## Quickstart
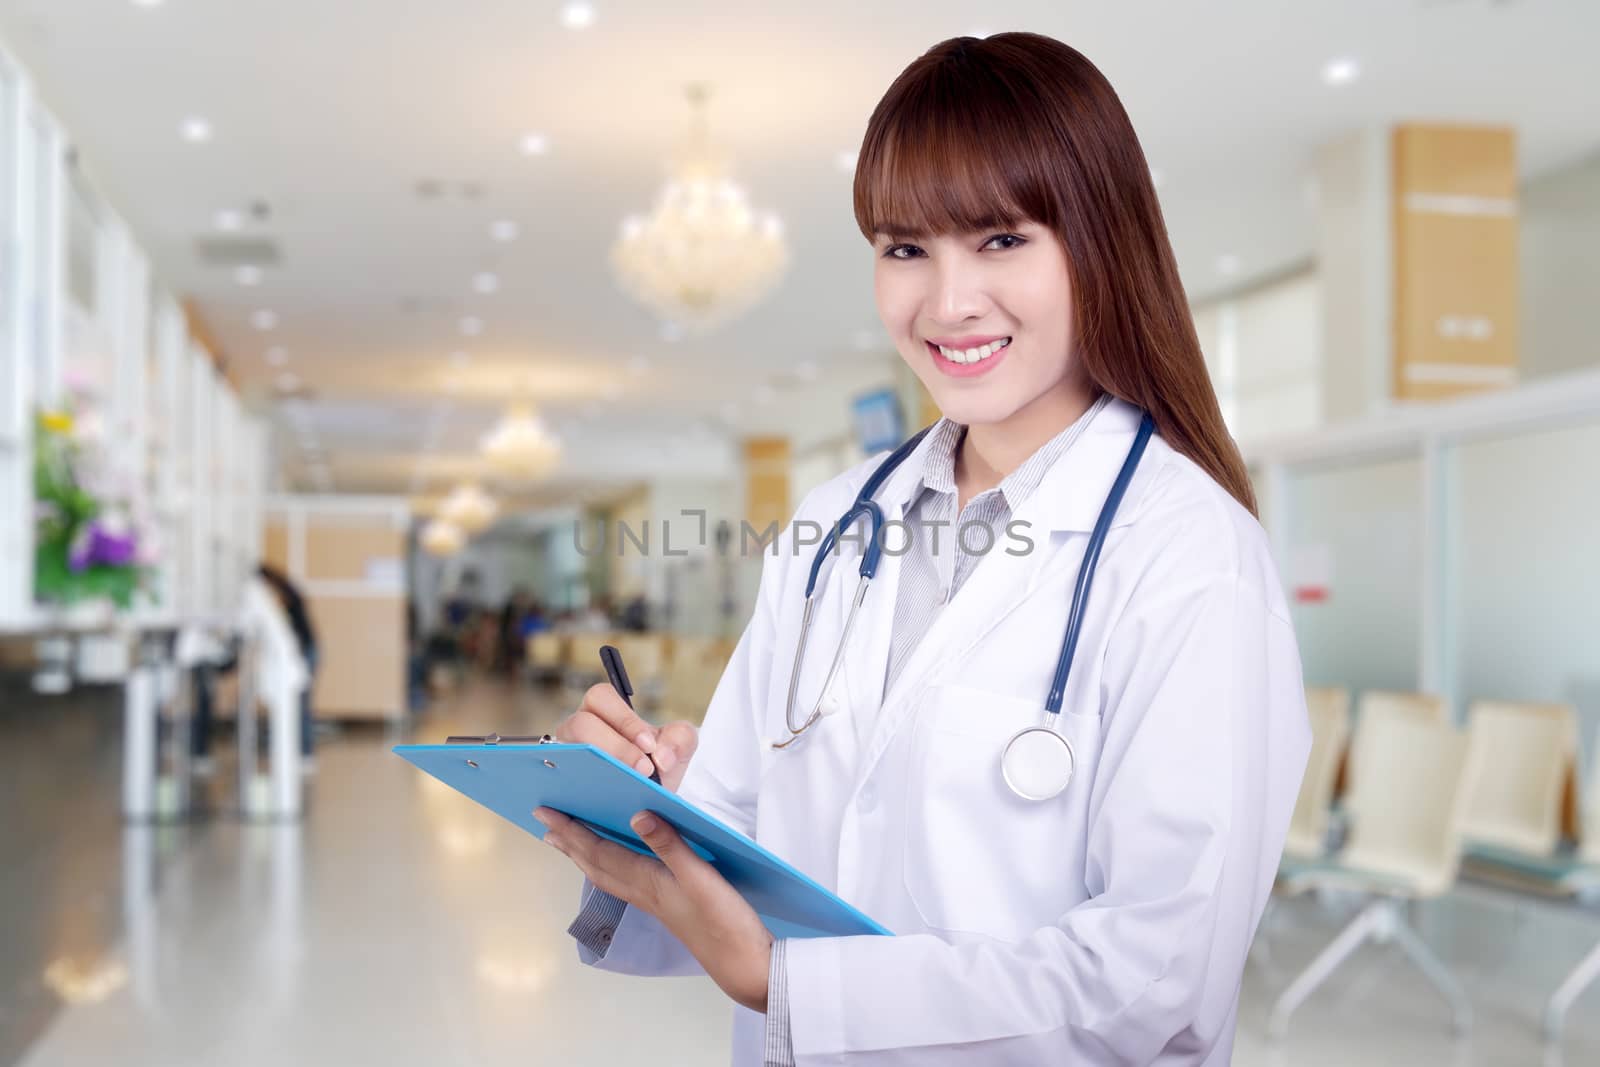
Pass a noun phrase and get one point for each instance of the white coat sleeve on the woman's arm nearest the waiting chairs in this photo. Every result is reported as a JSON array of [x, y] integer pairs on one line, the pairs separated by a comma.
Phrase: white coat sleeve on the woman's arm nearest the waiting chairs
[[1204, 743]]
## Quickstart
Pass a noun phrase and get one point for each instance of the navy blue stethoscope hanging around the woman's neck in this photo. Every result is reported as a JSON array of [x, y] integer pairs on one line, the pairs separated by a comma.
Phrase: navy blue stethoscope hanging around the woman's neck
[[1038, 761]]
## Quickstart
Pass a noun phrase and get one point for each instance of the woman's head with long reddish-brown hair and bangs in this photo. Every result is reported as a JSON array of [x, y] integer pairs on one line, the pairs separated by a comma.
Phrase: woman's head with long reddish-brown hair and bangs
[[1017, 154]]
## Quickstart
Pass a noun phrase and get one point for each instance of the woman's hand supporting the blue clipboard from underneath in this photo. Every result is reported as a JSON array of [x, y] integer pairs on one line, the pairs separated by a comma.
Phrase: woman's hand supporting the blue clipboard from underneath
[[684, 892]]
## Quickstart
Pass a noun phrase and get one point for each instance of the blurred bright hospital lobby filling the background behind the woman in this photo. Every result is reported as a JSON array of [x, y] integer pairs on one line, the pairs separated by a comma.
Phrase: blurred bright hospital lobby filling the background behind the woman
[[366, 367]]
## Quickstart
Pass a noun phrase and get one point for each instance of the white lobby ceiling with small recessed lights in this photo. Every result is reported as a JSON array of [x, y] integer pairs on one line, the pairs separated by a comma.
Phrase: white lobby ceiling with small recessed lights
[[334, 111]]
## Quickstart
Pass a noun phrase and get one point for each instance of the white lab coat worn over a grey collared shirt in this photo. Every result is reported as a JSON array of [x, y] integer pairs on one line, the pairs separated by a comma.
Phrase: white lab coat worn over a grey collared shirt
[[1105, 927]]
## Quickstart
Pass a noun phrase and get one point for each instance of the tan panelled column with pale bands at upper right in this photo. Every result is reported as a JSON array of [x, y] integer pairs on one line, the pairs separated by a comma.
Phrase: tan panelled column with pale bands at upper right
[[1455, 260]]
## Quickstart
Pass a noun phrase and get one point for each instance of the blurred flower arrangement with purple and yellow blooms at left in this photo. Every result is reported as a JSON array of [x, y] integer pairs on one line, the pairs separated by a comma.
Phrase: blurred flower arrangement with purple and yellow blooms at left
[[87, 545]]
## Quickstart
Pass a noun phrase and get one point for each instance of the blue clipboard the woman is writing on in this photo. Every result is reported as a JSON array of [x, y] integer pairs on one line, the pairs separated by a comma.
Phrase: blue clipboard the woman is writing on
[[604, 794]]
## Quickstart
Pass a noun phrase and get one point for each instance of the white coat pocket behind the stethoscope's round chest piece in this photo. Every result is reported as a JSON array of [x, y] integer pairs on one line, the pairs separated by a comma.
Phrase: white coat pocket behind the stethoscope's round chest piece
[[978, 858]]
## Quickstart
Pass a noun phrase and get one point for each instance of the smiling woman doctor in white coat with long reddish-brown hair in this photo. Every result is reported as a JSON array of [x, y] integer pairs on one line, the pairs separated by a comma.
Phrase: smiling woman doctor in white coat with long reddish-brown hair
[[1025, 274]]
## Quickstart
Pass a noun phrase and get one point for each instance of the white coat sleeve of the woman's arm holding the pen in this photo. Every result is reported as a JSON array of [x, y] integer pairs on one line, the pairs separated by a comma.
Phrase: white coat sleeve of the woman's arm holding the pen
[[722, 780]]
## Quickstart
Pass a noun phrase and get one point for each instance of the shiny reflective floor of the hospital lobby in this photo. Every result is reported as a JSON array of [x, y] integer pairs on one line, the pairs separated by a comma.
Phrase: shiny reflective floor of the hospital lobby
[[404, 925]]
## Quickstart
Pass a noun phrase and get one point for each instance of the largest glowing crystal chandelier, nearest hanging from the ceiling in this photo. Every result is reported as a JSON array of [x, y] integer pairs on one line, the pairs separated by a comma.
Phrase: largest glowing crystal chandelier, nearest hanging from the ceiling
[[702, 255]]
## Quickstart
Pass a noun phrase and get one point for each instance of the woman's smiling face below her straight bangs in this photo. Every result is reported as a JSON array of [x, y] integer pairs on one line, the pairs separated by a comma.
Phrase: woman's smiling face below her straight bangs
[[1001, 303]]
